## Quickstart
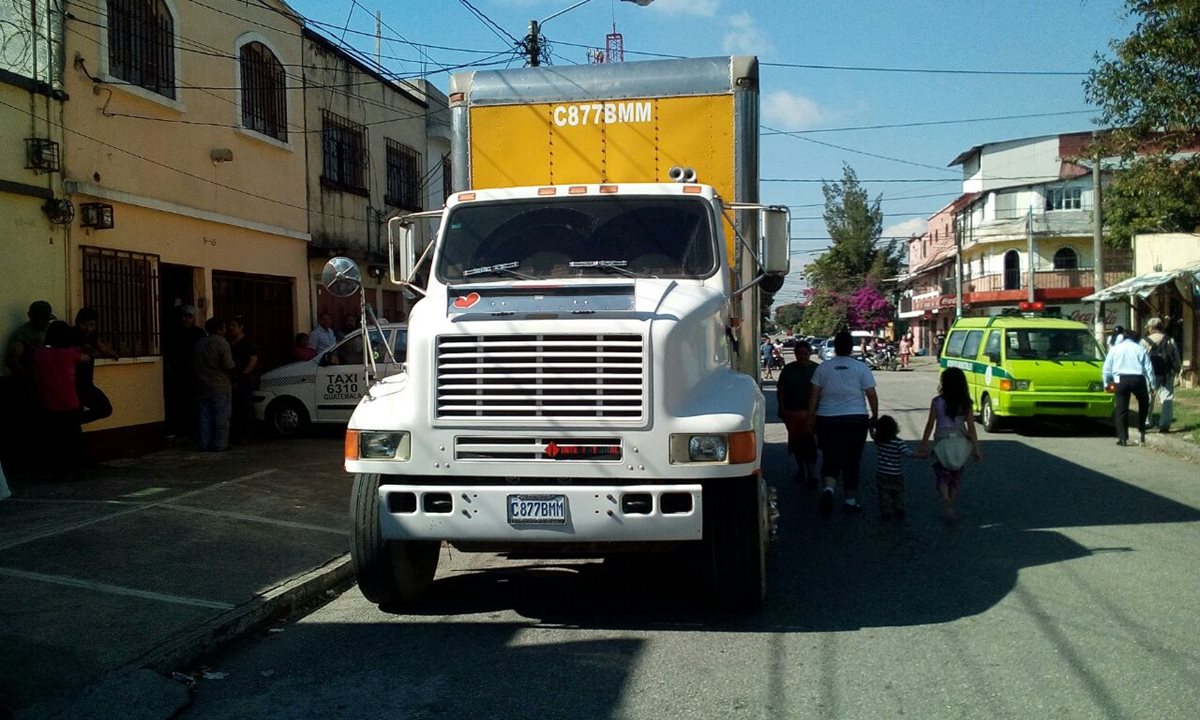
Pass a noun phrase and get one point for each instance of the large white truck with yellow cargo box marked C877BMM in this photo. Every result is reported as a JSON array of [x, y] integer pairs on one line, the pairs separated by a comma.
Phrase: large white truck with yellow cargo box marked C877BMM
[[583, 369]]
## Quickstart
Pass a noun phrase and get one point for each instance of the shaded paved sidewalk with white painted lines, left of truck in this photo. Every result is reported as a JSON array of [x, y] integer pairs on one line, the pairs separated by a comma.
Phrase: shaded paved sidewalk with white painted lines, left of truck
[[153, 563]]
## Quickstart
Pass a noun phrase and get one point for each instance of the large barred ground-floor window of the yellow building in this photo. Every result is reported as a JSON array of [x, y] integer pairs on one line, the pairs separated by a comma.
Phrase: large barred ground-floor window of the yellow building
[[124, 290]]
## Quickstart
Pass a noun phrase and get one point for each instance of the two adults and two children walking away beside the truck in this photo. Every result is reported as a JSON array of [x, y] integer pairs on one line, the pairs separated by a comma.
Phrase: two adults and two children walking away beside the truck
[[831, 410]]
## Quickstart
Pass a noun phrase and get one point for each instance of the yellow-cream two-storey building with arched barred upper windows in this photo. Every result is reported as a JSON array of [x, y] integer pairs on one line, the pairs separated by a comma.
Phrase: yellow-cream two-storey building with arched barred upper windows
[[187, 129]]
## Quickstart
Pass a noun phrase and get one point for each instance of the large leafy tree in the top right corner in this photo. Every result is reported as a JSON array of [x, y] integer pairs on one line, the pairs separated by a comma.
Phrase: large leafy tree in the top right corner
[[1148, 92]]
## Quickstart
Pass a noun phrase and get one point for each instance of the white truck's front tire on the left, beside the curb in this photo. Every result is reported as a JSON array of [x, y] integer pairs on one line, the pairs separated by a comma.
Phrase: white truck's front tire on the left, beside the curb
[[388, 572]]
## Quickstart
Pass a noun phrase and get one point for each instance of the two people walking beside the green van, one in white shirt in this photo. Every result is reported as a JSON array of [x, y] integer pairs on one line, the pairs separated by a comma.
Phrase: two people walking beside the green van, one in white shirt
[[1144, 369]]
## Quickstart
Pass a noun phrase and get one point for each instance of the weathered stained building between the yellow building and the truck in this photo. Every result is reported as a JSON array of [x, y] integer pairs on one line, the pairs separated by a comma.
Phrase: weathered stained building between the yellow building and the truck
[[377, 147]]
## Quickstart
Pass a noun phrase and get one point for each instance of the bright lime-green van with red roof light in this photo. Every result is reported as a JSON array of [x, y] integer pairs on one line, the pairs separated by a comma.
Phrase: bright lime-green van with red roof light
[[1027, 367]]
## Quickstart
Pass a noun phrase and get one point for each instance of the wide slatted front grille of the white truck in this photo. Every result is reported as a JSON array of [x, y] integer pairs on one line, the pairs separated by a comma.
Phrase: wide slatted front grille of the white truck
[[518, 377]]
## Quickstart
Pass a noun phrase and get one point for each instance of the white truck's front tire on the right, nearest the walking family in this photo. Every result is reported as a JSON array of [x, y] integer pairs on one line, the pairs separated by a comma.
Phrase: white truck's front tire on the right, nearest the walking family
[[736, 543]]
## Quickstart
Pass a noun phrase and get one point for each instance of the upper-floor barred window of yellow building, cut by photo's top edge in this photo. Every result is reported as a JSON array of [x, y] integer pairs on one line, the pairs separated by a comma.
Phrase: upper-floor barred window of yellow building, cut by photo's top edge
[[142, 45]]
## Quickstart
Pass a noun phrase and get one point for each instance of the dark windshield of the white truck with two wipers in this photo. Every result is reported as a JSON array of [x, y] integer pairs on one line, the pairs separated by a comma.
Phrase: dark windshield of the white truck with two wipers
[[566, 238]]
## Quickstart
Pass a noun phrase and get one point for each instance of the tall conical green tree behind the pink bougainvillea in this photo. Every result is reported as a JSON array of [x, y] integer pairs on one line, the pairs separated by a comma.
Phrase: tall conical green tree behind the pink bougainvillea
[[855, 259]]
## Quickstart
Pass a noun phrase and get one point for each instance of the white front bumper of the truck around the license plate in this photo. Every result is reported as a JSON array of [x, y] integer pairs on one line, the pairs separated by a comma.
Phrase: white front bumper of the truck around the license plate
[[589, 514]]
